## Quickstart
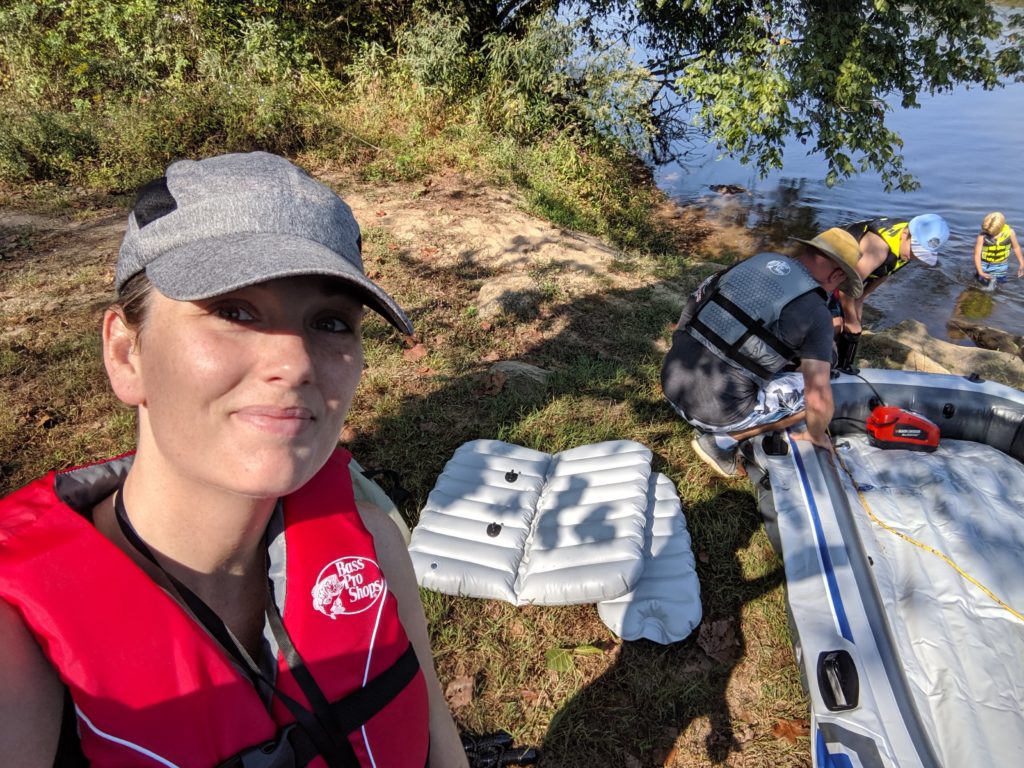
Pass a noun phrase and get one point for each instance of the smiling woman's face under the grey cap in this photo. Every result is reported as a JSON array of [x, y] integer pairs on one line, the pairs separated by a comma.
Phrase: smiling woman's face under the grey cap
[[247, 392]]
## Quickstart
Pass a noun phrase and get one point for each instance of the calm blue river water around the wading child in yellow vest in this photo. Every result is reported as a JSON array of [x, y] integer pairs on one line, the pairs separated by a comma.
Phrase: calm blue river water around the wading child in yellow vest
[[965, 148]]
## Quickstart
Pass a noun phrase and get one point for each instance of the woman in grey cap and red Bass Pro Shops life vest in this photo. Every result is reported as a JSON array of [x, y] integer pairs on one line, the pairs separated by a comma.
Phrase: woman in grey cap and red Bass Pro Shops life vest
[[218, 598]]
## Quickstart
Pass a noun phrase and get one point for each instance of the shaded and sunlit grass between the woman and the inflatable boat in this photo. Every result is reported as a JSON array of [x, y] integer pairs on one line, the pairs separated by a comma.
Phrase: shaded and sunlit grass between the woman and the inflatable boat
[[626, 702]]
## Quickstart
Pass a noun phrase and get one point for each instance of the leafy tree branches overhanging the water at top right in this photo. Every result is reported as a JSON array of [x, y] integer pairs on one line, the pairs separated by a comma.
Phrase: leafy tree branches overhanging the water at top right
[[751, 74]]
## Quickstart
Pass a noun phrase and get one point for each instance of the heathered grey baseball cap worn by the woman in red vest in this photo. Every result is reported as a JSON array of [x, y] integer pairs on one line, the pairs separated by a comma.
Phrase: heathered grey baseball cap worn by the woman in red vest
[[214, 226]]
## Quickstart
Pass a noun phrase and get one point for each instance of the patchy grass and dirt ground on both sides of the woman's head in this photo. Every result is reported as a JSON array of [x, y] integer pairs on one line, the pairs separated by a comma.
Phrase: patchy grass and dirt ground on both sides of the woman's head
[[556, 677]]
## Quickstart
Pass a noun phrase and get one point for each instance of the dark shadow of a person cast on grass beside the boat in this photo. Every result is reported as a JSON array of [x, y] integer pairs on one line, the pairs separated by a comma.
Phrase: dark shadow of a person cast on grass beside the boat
[[642, 705]]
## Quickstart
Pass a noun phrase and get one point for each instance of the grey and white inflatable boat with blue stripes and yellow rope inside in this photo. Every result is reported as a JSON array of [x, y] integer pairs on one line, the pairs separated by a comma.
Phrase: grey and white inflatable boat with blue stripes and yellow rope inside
[[906, 574]]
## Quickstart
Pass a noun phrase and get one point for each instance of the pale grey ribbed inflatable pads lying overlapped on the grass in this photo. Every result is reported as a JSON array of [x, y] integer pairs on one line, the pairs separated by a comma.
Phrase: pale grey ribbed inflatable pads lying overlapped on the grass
[[592, 525]]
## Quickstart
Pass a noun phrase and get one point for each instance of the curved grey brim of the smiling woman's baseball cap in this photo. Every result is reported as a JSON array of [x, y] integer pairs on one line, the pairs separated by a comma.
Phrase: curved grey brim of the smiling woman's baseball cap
[[218, 266]]
